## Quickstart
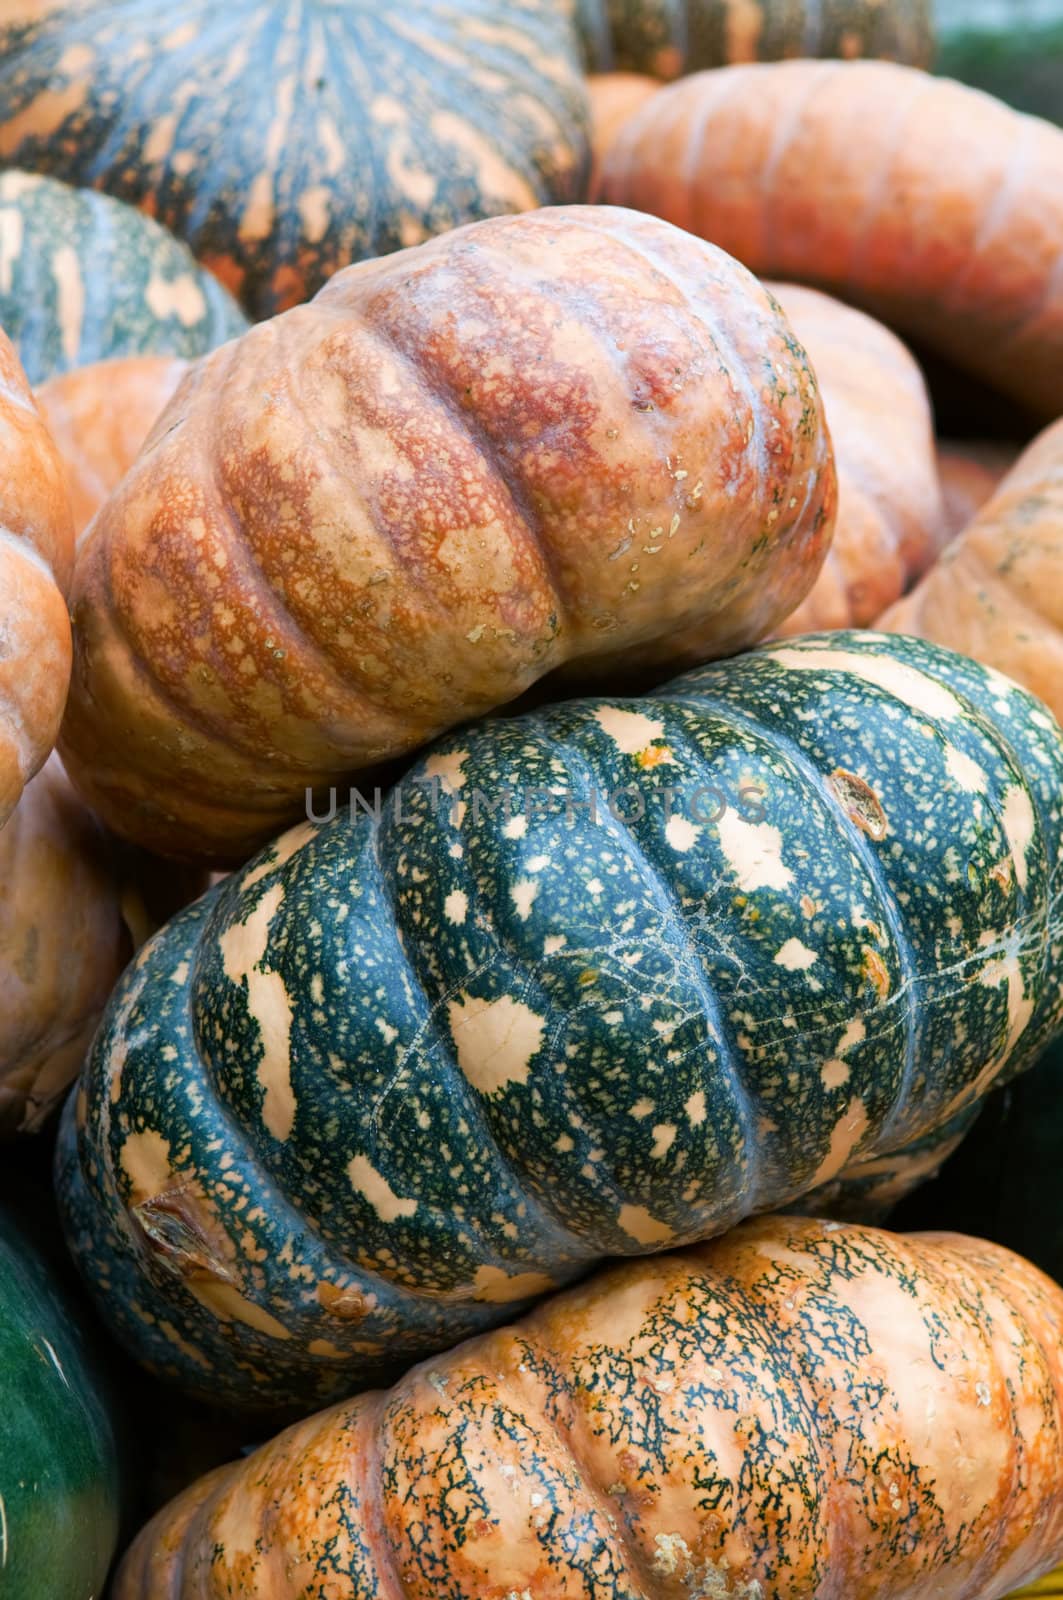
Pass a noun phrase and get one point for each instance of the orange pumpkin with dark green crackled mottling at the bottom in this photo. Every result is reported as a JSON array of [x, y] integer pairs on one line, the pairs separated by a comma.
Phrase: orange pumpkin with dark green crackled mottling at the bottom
[[798, 1410]]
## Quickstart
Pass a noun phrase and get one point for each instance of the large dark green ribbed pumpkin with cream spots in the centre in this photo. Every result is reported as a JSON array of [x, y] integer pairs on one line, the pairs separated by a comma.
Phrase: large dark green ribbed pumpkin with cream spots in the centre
[[593, 982]]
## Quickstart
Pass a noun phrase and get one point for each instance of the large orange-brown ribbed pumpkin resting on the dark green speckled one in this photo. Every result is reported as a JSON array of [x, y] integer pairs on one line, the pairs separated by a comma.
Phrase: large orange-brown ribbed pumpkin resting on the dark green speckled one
[[577, 436]]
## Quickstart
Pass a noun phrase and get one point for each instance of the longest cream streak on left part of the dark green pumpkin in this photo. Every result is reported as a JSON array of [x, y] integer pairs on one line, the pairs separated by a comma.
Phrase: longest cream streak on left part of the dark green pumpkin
[[243, 948]]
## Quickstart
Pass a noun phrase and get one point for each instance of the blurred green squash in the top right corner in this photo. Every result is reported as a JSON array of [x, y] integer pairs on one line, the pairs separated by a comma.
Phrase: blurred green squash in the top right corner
[[1011, 49]]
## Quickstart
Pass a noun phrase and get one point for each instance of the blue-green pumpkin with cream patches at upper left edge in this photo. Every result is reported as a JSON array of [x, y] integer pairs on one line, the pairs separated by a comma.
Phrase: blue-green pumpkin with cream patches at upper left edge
[[86, 279]]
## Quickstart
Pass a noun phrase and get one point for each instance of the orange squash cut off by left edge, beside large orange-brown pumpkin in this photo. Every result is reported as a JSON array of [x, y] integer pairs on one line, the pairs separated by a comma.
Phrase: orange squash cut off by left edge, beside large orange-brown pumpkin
[[36, 561]]
